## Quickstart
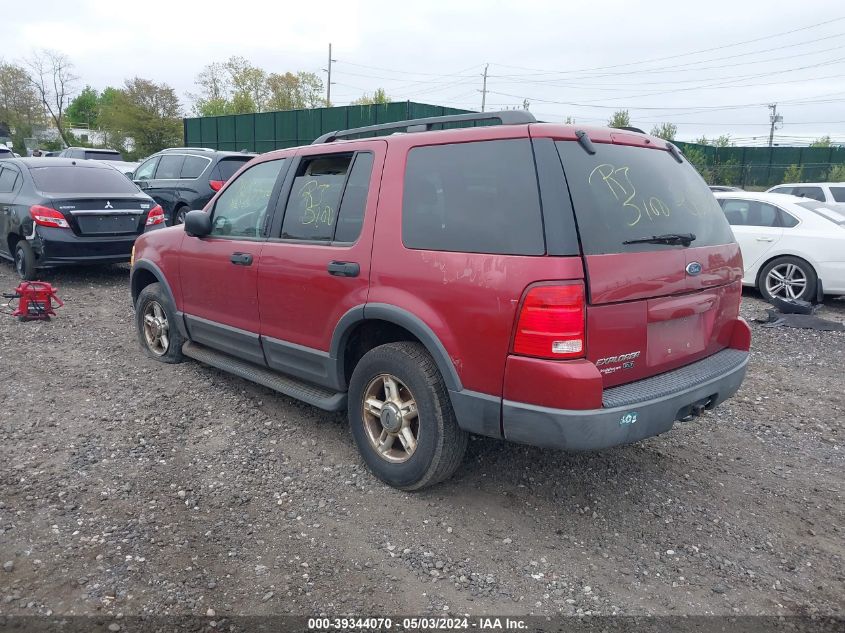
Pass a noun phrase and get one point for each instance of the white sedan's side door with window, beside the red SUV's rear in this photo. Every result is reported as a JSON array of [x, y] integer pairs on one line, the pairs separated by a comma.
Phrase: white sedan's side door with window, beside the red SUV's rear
[[755, 226]]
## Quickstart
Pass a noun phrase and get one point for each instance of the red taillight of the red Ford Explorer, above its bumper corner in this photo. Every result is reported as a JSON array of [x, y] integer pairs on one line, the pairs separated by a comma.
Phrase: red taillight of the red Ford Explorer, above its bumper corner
[[551, 322]]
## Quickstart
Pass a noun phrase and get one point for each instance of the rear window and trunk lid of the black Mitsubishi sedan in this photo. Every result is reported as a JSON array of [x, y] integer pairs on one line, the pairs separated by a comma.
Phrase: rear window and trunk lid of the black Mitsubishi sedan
[[96, 200]]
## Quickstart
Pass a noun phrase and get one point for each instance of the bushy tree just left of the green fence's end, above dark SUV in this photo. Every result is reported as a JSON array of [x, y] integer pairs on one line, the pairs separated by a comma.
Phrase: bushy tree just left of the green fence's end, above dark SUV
[[147, 112]]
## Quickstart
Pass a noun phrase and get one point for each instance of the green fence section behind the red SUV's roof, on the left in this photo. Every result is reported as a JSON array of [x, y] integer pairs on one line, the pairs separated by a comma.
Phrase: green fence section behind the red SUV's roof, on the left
[[266, 131]]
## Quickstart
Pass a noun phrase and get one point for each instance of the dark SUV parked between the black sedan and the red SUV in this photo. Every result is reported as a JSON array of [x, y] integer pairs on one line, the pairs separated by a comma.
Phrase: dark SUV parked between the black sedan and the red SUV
[[185, 178]]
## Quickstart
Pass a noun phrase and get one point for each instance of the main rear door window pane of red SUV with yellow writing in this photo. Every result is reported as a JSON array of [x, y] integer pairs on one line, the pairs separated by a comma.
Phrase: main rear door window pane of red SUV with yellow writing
[[312, 208]]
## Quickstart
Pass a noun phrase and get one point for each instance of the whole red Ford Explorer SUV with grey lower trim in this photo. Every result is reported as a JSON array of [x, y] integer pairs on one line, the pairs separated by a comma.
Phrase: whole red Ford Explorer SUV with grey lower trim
[[546, 284]]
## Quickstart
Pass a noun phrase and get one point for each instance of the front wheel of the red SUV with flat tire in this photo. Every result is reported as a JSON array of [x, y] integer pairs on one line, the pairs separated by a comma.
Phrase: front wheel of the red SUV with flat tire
[[155, 320]]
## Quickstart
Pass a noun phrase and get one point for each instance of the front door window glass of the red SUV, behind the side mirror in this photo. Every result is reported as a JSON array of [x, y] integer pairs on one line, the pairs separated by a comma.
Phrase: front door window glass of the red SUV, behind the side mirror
[[242, 209]]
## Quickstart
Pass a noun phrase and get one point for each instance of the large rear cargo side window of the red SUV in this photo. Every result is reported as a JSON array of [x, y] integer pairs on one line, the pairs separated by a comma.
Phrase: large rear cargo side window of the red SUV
[[473, 197]]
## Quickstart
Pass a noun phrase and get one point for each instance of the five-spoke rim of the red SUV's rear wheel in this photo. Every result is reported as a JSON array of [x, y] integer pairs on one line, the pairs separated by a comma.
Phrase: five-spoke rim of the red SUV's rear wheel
[[391, 419]]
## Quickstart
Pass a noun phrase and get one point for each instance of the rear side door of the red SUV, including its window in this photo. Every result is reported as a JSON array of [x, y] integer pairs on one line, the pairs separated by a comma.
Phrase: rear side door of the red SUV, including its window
[[316, 266]]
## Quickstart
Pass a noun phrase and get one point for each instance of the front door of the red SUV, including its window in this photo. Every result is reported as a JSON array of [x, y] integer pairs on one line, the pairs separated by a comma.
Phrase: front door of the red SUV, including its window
[[218, 272]]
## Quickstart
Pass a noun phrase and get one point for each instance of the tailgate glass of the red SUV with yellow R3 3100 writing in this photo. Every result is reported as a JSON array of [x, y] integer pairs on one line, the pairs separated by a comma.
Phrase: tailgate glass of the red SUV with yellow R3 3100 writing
[[626, 193]]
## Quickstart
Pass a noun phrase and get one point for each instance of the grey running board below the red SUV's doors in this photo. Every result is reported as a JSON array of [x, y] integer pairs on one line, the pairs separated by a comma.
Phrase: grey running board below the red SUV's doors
[[320, 397]]
